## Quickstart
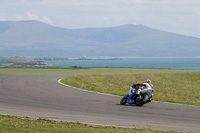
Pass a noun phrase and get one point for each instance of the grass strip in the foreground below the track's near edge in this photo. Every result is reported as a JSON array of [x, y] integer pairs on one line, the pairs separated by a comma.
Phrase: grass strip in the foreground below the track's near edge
[[12, 124]]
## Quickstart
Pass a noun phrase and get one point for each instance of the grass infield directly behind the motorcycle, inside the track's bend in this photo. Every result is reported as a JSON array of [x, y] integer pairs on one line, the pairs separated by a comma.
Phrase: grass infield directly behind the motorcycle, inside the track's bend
[[176, 88]]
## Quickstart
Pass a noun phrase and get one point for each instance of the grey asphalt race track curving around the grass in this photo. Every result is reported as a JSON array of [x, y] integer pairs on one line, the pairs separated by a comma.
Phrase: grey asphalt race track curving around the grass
[[43, 97]]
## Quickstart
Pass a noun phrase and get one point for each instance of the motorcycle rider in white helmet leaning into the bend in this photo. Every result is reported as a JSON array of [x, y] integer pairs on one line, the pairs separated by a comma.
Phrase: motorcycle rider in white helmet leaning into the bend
[[146, 85]]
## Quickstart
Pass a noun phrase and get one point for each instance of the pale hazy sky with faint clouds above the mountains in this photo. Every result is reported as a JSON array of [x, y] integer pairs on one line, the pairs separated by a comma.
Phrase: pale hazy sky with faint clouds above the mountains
[[177, 16]]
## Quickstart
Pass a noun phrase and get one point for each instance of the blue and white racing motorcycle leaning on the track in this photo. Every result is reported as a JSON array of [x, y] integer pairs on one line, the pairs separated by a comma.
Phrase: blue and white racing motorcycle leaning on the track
[[139, 97]]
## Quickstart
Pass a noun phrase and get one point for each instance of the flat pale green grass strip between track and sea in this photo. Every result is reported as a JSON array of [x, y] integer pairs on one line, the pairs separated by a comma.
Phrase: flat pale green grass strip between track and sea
[[86, 71]]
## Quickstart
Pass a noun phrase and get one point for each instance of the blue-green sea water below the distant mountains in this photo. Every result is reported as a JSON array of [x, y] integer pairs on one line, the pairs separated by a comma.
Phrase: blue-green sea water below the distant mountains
[[165, 63]]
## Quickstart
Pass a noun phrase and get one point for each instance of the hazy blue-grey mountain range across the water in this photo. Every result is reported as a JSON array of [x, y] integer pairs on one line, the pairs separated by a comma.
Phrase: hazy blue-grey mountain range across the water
[[37, 39]]
